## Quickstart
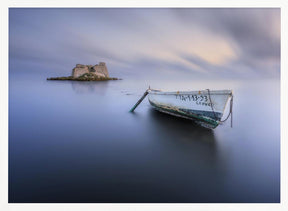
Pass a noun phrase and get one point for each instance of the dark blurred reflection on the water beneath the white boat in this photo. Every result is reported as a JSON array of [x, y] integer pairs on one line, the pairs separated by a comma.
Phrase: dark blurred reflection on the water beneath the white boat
[[183, 137]]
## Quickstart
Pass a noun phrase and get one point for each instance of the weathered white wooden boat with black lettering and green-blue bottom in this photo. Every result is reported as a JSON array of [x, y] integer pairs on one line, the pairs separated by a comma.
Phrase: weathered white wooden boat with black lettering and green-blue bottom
[[204, 107]]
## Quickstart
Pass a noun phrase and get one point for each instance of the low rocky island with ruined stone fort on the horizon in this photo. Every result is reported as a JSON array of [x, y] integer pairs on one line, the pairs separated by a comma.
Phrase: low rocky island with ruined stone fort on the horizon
[[98, 72]]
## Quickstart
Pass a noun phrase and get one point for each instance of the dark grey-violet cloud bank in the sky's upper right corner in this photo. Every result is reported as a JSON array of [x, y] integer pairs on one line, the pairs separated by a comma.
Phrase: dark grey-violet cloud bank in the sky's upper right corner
[[253, 32]]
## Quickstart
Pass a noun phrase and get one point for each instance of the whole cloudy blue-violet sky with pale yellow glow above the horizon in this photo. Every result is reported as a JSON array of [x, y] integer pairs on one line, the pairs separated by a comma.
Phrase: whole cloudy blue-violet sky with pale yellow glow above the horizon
[[147, 43]]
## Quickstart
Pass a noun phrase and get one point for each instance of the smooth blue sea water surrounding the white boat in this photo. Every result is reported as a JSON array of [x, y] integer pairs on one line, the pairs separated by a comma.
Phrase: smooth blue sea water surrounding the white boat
[[77, 142]]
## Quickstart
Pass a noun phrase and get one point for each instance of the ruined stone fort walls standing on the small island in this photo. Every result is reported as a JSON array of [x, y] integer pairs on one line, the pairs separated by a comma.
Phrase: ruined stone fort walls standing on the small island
[[99, 70]]
